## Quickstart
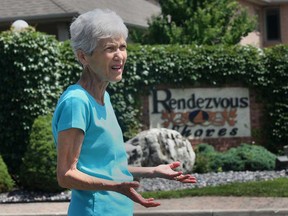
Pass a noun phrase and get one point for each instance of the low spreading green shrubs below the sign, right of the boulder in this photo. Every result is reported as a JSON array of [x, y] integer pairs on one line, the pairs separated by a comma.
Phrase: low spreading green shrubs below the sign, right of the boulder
[[242, 158]]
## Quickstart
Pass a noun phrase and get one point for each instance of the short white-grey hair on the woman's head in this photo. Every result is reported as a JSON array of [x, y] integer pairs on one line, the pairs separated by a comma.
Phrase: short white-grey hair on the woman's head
[[87, 29]]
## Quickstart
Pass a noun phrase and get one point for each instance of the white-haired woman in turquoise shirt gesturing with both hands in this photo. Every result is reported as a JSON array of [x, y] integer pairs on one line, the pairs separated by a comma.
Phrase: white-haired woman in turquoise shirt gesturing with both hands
[[92, 161]]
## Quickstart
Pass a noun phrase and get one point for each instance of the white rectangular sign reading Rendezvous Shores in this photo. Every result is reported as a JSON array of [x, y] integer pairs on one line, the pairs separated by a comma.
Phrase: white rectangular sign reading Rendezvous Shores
[[202, 112]]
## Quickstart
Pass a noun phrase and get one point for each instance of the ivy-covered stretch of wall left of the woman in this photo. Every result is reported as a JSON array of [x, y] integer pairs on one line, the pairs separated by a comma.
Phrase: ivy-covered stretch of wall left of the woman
[[29, 87]]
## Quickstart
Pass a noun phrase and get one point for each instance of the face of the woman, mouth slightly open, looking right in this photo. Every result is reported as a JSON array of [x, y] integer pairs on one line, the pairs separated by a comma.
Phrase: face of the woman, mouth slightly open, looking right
[[108, 59]]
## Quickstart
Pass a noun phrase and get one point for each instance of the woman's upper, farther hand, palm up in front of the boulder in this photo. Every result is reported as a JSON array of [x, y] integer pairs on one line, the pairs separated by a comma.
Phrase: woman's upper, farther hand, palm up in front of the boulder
[[167, 171]]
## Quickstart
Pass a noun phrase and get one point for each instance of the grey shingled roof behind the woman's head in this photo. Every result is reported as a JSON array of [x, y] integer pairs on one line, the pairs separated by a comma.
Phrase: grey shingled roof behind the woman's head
[[54, 16]]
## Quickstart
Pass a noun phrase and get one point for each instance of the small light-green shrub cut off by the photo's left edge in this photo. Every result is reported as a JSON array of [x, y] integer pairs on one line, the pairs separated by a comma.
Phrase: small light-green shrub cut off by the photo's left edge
[[6, 182]]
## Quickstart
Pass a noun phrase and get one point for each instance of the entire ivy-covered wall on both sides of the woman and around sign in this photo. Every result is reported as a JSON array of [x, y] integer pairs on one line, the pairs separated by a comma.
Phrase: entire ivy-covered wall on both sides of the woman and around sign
[[36, 68]]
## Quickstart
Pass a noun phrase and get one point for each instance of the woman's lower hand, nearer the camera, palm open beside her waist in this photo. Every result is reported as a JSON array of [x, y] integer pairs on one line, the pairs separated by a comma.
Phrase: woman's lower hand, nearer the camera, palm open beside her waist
[[128, 189]]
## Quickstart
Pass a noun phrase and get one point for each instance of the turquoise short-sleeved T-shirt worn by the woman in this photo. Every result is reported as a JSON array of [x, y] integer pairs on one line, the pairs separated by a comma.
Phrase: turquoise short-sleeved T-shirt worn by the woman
[[102, 154]]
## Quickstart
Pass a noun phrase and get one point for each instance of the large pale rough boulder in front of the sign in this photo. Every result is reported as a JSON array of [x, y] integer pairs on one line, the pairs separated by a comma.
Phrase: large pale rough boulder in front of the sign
[[160, 146]]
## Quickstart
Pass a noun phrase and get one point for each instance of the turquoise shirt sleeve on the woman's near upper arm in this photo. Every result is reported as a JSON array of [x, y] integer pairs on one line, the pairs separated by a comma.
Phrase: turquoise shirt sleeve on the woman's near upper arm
[[72, 113]]
